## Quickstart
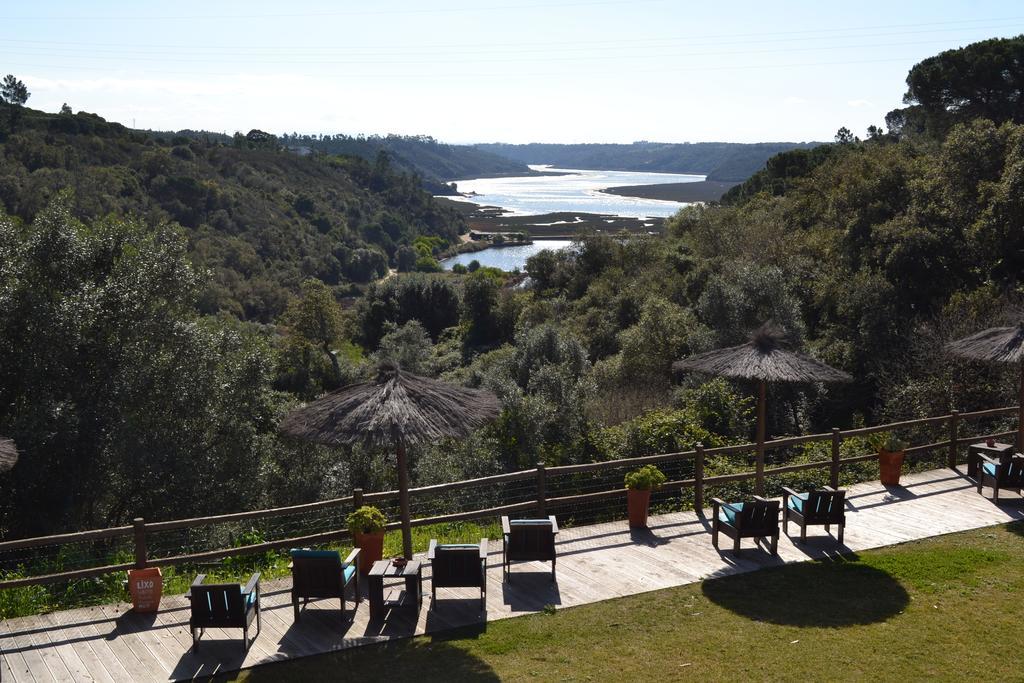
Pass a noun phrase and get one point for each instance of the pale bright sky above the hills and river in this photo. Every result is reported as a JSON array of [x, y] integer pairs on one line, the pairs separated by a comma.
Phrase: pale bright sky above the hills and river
[[562, 71]]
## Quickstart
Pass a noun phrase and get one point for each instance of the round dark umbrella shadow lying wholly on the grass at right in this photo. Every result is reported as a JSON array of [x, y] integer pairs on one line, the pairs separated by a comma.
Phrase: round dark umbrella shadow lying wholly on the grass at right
[[824, 594]]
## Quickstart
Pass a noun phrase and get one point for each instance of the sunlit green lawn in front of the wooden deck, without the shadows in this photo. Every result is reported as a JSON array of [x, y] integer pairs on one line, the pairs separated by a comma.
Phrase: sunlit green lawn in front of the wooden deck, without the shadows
[[945, 609]]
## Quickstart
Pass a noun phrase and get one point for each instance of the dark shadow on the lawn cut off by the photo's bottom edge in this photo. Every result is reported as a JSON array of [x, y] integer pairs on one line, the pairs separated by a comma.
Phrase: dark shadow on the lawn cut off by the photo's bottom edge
[[433, 658]]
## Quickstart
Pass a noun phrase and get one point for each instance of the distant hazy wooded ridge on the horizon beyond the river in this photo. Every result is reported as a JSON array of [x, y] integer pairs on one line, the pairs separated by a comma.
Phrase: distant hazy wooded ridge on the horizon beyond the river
[[719, 161]]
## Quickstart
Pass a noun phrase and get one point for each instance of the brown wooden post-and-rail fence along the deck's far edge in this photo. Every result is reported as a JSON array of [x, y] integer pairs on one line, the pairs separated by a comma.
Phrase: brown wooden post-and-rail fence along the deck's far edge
[[540, 500]]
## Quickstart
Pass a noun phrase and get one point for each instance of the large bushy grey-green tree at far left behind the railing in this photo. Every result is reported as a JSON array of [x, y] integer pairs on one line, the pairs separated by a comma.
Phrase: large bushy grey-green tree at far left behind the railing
[[129, 403]]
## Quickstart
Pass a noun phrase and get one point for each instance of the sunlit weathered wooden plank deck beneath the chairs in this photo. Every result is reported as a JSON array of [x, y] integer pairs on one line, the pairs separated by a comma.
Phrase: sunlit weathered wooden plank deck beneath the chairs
[[111, 644]]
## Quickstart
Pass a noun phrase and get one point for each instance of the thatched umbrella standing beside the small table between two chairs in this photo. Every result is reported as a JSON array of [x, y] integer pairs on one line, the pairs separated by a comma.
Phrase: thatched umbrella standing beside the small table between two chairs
[[396, 409]]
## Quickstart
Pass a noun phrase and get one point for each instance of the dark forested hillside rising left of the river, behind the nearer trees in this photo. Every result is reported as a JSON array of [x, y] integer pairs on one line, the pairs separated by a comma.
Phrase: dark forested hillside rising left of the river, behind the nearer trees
[[262, 219]]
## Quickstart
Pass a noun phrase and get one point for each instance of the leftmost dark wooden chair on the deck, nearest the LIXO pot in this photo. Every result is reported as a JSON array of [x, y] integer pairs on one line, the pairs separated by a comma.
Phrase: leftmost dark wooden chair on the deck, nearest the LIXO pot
[[224, 607]]
